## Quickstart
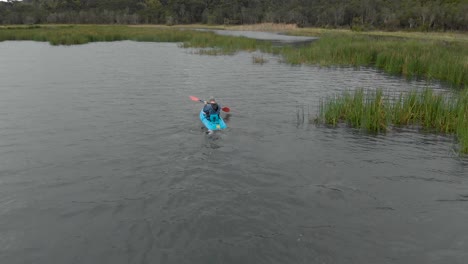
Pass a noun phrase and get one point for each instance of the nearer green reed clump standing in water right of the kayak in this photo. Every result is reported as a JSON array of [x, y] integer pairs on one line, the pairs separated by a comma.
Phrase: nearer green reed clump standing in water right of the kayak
[[374, 111]]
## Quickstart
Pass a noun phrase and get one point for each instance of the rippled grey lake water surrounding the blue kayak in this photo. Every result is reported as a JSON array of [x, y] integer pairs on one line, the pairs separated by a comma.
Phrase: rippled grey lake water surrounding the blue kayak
[[103, 160]]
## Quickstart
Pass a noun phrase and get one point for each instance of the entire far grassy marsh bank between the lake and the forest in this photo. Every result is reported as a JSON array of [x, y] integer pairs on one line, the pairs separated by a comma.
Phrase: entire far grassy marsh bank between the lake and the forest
[[409, 55]]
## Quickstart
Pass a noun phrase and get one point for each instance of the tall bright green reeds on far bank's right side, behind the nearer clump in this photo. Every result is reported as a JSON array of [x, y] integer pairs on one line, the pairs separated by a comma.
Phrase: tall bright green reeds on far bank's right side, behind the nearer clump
[[436, 60]]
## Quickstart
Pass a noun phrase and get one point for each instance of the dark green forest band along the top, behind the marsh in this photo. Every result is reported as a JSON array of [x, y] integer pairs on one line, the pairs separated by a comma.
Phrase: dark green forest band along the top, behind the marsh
[[363, 14]]
